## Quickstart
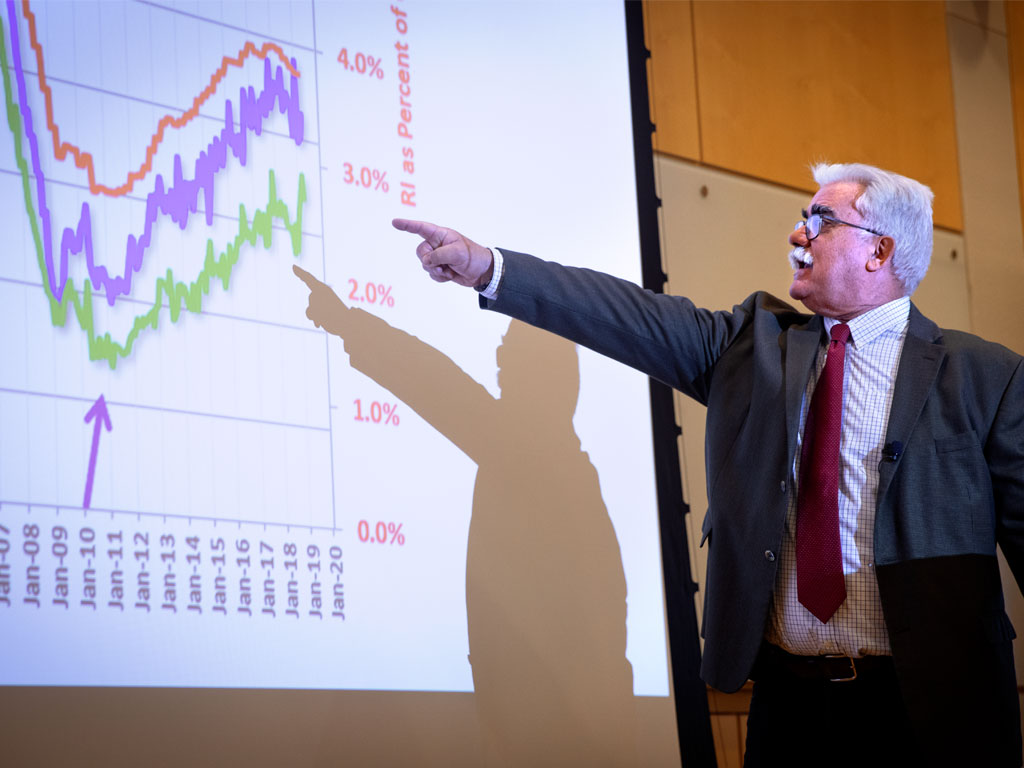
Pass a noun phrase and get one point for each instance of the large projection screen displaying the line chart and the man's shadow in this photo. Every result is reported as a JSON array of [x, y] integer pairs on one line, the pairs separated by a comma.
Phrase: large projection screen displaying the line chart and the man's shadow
[[431, 537]]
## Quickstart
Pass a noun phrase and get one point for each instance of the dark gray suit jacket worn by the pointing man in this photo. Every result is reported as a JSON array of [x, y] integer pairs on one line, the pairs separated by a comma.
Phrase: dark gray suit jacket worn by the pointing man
[[957, 489]]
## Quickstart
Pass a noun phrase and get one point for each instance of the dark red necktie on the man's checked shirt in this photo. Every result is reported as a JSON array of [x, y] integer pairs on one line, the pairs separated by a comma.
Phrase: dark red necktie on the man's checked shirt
[[821, 585]]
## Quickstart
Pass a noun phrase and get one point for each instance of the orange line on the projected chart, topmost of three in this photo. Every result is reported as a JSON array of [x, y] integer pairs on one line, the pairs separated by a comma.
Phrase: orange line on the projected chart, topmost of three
[[83, 160]]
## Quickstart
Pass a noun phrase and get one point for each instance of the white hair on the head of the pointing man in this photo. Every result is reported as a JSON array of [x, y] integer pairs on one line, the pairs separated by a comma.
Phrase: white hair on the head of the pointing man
[[894, 205]]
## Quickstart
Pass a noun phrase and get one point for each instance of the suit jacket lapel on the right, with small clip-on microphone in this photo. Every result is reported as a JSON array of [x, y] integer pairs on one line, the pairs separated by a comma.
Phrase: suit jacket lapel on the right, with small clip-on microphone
[[919, 365]]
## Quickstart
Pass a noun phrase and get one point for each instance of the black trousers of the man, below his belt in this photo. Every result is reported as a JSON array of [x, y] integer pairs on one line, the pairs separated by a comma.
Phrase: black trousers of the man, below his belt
[[801, 718]]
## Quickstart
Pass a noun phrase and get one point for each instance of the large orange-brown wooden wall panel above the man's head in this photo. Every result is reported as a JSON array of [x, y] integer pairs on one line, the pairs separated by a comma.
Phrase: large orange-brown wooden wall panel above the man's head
[[784, 84]]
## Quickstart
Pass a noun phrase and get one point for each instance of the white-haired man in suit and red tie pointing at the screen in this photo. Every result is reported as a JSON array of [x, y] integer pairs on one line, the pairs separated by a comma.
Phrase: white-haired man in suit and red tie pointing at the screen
[[862, 466]]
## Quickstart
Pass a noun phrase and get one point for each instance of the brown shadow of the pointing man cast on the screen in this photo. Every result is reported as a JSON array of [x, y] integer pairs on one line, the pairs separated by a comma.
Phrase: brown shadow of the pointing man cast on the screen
[[545, 588]]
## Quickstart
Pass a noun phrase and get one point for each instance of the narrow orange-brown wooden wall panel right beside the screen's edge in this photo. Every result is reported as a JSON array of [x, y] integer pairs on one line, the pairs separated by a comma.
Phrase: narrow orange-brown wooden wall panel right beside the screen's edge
[[672, 78]]
